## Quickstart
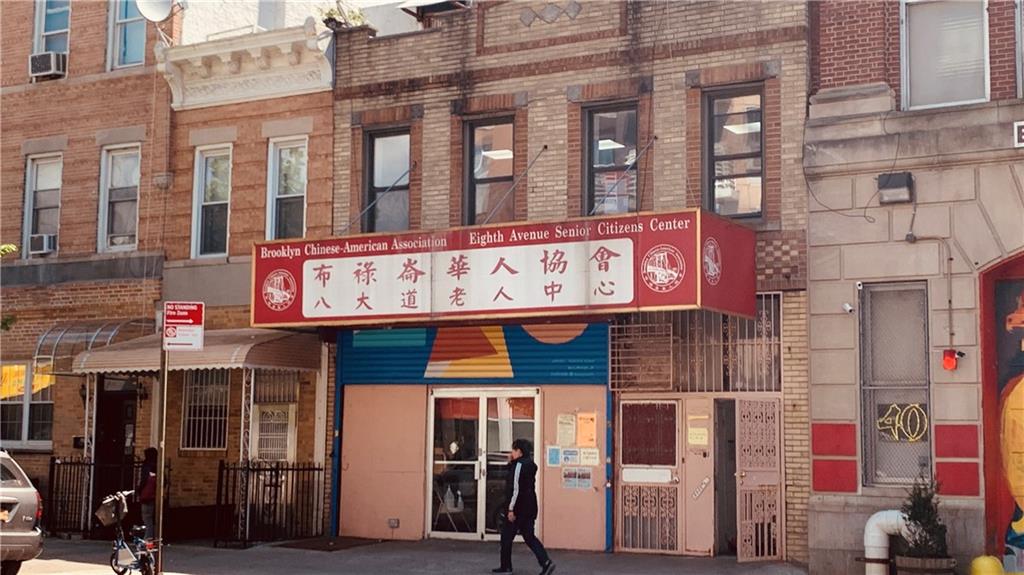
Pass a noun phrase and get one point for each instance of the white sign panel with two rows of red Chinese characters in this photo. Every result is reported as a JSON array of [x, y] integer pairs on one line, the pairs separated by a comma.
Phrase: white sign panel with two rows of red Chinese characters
[[465, 281]]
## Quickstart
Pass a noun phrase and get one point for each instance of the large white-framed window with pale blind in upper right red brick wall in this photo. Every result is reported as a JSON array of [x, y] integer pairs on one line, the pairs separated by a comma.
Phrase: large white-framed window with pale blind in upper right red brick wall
[[946, 53]]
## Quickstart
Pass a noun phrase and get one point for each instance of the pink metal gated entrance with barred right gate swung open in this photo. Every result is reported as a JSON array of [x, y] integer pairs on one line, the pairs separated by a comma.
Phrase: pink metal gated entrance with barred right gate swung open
[[700, 475]]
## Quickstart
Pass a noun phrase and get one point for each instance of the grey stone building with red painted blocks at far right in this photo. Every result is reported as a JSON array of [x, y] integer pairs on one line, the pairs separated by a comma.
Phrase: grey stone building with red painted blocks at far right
[[918, 277]]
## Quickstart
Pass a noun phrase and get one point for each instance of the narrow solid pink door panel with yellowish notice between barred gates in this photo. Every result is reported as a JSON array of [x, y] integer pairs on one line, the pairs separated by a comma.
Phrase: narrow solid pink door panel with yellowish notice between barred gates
[[699, 489]]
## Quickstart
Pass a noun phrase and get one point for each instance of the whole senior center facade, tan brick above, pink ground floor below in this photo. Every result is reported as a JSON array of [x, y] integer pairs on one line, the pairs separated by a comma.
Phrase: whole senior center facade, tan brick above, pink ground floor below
[[545, 71]]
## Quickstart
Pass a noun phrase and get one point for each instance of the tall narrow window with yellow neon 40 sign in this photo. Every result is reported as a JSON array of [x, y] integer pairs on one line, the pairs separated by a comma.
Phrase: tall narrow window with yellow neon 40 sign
[[894, 383]]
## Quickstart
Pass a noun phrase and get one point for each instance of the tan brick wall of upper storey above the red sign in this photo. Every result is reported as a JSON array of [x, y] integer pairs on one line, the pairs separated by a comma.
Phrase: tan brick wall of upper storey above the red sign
[[557, 66]]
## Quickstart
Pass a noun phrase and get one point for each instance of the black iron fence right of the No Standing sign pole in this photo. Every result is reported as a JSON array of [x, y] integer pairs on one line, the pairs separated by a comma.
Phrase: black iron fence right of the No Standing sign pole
[[269, 502]]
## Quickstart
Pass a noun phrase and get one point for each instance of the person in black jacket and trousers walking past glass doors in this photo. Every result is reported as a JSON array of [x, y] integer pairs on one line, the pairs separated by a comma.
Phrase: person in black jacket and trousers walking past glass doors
[[521, 493]]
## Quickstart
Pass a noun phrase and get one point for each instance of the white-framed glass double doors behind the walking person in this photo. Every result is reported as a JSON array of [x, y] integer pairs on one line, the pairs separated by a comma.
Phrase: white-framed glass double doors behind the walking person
[[471, 434]]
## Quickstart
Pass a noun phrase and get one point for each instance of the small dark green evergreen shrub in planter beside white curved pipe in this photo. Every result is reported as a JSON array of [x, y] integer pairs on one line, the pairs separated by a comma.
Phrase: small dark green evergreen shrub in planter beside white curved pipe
[[924, 551]]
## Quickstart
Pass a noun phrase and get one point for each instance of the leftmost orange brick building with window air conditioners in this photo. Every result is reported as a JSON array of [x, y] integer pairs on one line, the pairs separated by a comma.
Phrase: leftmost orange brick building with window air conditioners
[[62, 138]]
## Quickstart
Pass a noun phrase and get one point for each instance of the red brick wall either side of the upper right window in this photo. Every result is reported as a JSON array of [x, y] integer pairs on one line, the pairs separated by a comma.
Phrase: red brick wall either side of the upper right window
[[859, 42]]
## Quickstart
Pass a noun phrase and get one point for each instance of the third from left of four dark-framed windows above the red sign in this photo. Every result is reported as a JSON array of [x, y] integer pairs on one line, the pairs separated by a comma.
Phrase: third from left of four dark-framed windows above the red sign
[[612, 150]]
